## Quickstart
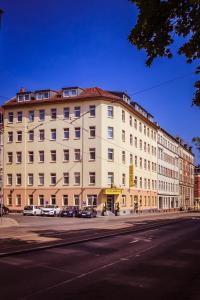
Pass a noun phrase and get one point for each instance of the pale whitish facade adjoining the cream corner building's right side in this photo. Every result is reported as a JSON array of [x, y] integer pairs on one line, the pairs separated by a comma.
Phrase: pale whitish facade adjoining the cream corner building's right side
[[168, 171]]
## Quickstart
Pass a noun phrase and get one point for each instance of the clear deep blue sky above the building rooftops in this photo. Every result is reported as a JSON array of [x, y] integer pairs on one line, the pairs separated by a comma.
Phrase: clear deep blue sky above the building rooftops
[[51, 44]]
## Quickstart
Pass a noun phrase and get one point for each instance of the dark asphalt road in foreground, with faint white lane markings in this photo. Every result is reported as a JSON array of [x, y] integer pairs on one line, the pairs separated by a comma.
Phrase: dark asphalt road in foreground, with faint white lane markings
[[162, 263]]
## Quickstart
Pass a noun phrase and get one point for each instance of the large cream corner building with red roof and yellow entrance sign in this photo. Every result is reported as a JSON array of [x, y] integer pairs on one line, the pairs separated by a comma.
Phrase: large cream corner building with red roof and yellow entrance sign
[[79, 147]]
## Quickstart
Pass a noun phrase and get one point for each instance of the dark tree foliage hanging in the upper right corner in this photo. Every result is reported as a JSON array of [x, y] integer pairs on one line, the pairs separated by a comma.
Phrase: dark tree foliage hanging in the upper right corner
[[159, 21]]
